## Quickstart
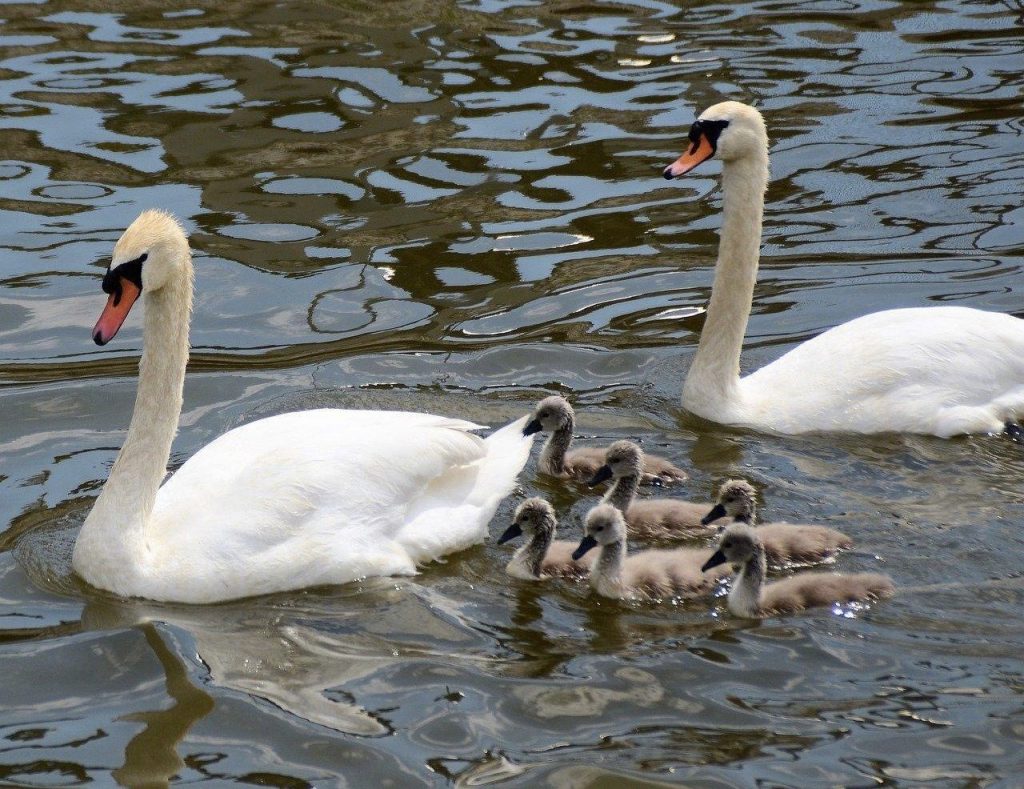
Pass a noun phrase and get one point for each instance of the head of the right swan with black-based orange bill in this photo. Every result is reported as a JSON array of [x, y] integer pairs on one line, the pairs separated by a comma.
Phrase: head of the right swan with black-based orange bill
[[729, 130]]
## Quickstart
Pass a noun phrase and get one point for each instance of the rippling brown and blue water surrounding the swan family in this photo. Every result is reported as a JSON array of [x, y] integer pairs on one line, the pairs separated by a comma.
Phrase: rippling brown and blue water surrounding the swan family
[[457, 207]]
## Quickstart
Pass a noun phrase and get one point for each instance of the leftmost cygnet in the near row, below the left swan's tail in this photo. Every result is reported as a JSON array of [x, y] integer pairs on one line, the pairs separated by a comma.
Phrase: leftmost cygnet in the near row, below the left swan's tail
[[543, 556]]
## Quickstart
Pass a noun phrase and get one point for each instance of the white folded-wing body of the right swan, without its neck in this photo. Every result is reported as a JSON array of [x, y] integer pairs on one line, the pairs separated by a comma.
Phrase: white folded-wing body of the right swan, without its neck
[[942, 371]]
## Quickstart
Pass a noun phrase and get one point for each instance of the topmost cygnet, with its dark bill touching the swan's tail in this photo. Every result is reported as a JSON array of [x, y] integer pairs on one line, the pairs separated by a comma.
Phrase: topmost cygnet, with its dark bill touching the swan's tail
[[556, 416]]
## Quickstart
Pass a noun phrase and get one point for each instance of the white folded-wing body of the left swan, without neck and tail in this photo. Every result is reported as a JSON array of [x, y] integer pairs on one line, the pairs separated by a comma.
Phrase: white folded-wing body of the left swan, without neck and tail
[[310, 498]]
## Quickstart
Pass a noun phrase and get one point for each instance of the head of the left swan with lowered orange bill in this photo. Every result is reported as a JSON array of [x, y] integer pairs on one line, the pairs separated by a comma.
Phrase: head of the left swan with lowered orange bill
[[152, 252]]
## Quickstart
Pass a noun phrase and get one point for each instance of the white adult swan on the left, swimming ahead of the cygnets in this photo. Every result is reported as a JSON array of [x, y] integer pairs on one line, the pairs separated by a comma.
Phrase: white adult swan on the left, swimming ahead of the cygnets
[[298, 500]]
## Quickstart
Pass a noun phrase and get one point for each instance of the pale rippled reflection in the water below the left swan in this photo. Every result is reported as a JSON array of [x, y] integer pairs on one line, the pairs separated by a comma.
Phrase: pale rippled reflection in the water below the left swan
[[298, 652]]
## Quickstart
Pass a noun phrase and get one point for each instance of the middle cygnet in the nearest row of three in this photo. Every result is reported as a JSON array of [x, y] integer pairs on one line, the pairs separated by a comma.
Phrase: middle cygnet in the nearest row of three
[[645, 576]]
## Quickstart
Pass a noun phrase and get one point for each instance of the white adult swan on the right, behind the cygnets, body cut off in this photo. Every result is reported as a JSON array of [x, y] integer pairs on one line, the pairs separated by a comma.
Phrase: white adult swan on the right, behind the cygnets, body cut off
[[940, 371]]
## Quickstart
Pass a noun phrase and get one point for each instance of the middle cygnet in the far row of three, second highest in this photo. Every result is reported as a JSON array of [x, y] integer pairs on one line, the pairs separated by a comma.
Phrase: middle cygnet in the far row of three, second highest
[[647, 518]]
